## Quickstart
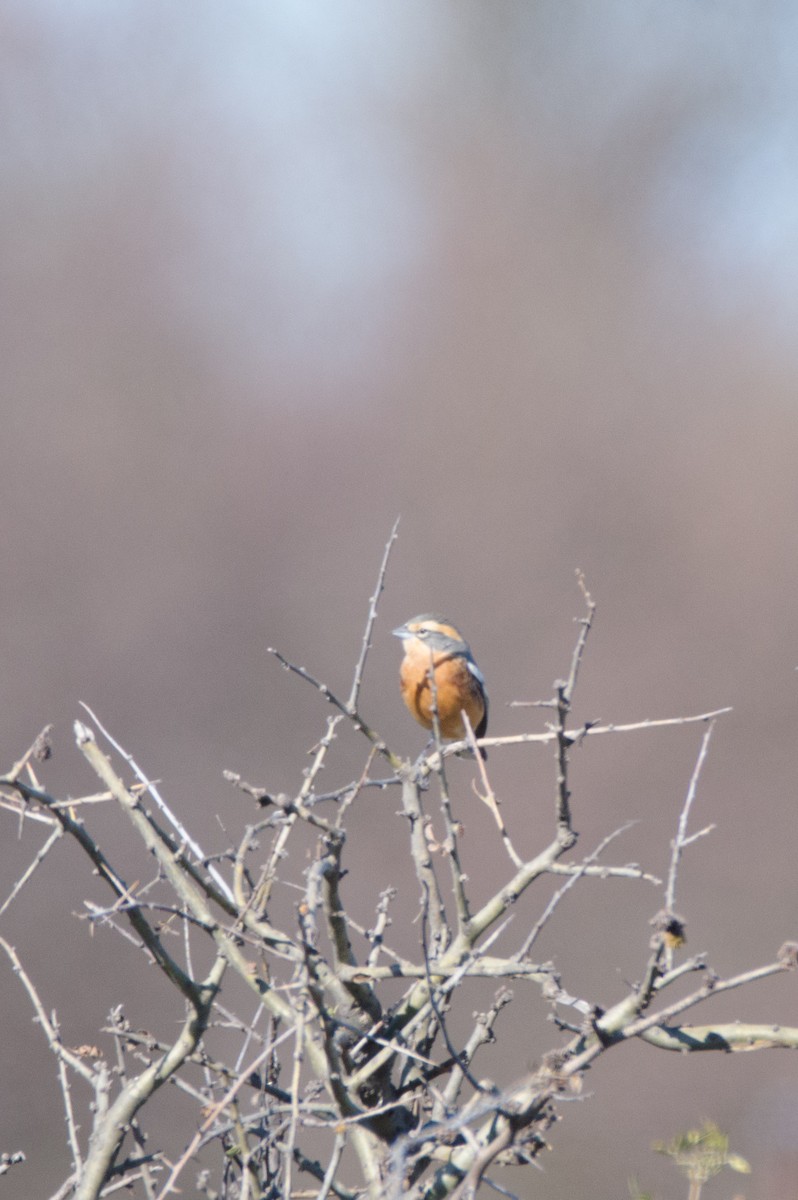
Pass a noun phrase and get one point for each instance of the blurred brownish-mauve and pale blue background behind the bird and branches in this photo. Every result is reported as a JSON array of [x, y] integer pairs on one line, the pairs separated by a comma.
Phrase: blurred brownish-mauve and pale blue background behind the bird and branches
[[525, 275]]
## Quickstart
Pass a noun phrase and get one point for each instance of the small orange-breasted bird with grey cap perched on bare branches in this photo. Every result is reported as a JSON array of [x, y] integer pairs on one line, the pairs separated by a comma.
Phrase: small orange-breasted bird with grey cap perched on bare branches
[[433, 643]]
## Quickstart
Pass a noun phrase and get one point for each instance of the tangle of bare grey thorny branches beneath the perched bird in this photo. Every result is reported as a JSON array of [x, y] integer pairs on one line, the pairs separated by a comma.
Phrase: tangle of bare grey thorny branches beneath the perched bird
[[350, 1075]]
